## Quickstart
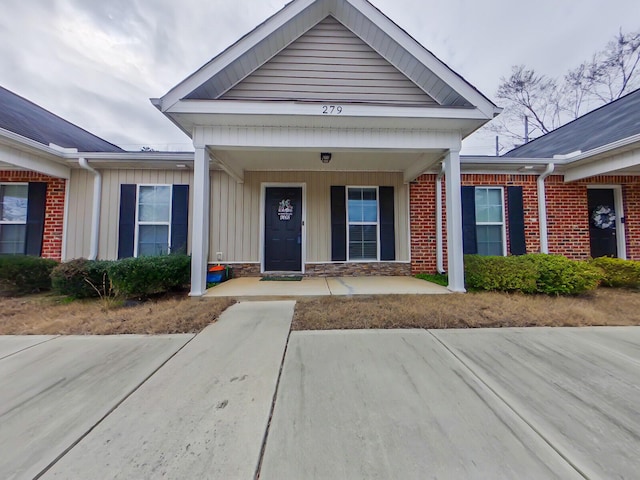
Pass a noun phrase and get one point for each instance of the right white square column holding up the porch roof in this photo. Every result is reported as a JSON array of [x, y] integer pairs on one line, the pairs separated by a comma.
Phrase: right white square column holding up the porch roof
[[454, 222]]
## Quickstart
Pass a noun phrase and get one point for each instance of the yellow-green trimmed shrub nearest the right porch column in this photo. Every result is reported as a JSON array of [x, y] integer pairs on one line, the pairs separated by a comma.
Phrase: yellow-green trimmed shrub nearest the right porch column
[[501, 274]]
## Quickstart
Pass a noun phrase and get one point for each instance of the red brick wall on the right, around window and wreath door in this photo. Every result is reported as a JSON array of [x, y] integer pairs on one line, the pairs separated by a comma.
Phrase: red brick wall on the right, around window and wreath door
[[567, 214]]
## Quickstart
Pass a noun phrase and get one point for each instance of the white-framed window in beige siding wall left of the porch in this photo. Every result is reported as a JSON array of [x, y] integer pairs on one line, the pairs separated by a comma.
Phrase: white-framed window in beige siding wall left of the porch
[[153, 220]]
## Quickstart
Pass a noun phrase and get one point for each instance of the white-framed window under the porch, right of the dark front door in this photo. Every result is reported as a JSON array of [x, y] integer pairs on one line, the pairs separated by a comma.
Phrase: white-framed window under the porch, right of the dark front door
[[363, 228]]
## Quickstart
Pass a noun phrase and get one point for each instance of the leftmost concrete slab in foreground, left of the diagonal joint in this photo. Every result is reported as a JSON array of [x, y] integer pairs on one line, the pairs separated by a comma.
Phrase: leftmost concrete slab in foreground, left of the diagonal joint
[[55, 390]]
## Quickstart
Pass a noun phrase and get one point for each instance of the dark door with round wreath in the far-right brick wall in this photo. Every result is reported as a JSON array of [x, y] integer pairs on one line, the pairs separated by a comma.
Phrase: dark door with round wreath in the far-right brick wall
[[602, 224]]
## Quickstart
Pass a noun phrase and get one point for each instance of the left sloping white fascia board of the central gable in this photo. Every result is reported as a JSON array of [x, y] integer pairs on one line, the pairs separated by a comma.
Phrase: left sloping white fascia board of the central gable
[[232, 53]]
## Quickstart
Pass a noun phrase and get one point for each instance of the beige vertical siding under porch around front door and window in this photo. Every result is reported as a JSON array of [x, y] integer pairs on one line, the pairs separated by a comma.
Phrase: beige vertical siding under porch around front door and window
[[235, 211]]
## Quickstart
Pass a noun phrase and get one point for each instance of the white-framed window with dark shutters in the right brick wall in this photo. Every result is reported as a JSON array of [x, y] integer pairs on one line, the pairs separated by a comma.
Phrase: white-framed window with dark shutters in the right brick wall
[[490, 225]]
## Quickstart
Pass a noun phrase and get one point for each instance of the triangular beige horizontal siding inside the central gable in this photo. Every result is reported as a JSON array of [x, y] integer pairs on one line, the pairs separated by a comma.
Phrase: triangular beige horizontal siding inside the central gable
[[329, 63]]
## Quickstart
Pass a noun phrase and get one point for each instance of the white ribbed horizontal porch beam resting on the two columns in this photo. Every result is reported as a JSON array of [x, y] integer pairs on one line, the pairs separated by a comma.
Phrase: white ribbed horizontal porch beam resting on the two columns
[[323, 138]]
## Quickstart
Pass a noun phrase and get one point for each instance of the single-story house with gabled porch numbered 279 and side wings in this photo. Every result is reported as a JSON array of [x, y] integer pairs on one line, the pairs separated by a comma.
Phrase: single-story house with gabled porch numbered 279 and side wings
[[325, 141]]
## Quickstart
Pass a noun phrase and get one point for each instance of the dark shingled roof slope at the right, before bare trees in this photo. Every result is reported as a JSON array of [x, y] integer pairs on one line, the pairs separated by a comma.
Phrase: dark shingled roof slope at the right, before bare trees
[[608, 124]]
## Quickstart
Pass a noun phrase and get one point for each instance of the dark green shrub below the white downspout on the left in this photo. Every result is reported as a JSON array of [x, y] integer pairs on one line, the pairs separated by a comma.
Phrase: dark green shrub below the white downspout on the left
[[81, 278]]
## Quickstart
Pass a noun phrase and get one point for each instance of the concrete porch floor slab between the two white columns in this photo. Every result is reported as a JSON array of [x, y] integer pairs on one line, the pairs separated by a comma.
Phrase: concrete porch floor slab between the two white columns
[[321, 286]]
